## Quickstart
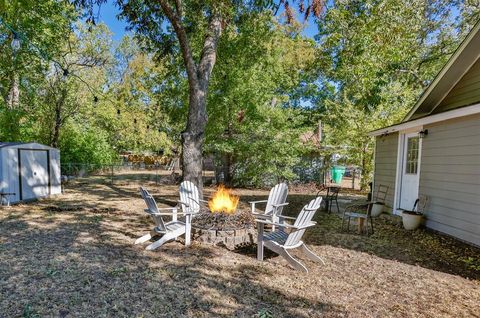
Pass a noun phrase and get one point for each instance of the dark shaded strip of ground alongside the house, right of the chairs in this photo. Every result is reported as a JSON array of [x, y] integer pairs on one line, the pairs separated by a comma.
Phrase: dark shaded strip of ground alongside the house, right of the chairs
[[422, 247]]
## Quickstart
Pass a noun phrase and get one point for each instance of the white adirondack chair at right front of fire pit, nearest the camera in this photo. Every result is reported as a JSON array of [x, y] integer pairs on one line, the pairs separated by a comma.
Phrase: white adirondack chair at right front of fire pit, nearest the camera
[[280, 241]]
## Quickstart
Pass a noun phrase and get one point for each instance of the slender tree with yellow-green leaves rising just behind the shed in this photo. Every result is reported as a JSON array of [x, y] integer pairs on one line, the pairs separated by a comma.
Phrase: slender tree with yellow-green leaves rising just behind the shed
[[80, 62]]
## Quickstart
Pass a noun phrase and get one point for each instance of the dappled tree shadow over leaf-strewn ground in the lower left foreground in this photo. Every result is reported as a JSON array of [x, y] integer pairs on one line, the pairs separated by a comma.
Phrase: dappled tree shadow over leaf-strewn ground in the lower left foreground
[[78, 267]]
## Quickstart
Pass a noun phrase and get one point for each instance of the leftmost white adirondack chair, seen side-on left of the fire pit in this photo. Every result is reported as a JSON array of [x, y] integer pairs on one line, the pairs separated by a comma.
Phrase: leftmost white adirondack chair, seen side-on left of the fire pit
[[168, 230]]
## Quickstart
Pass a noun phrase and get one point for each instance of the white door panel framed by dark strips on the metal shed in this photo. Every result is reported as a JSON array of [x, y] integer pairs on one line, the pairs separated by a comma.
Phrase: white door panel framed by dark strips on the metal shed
[[34, 173]]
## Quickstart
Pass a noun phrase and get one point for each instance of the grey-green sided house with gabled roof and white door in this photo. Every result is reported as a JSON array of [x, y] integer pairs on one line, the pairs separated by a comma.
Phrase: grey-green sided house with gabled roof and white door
[[435, 150]]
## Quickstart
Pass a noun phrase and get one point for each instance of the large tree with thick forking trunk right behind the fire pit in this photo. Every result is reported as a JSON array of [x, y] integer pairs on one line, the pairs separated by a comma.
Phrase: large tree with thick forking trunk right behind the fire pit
[[197, 27]]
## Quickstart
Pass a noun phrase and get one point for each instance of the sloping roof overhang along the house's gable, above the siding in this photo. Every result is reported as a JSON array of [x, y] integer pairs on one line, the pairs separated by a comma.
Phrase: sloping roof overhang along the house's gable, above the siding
[[459, 63]]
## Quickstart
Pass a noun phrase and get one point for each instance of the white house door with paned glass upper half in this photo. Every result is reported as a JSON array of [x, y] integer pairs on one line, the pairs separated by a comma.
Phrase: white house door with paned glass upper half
[[410, 171]]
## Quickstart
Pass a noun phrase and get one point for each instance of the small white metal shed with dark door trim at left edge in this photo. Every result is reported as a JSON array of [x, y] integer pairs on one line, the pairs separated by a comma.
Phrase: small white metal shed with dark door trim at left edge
[[28, 171]]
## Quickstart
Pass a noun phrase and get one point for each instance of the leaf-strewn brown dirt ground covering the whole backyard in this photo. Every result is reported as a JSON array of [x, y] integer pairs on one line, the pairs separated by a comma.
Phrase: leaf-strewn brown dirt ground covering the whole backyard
[[73, 256]]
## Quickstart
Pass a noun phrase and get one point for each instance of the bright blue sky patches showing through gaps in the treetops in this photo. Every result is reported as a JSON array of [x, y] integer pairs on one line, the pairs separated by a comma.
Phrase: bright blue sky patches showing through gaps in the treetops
[[109, 12]]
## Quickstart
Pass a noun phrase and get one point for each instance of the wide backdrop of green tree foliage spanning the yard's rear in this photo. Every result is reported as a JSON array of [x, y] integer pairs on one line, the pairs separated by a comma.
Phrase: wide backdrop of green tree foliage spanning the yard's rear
[[369, 64]]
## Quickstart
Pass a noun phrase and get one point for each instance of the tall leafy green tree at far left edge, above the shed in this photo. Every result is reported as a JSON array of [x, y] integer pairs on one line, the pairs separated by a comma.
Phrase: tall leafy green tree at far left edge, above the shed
[[38, 29]]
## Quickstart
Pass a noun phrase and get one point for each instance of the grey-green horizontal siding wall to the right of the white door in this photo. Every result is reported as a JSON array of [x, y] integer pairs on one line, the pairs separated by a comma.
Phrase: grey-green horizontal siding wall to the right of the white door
[[450, 177]]
